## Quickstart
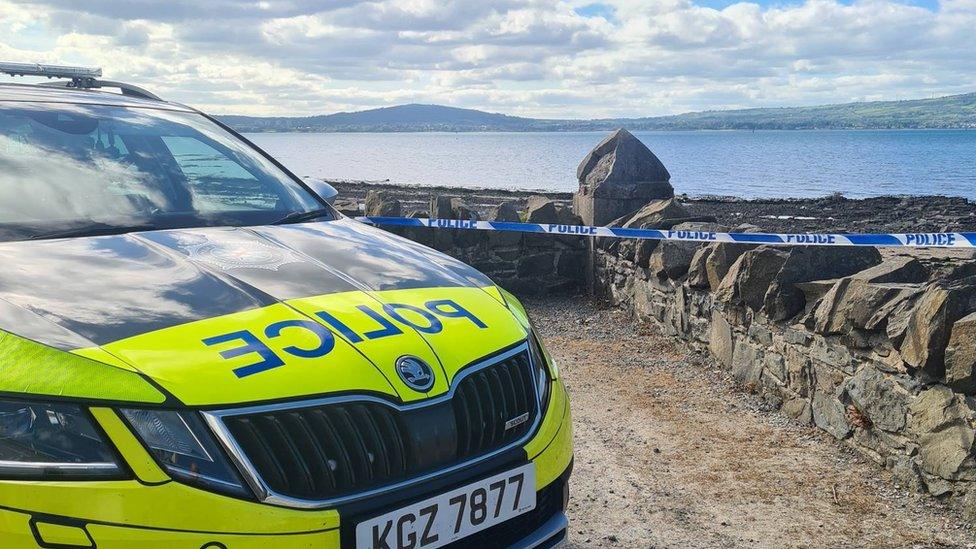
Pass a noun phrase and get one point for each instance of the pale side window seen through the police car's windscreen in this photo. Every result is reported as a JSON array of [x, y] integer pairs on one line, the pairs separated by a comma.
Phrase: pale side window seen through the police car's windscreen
[[216, 182]]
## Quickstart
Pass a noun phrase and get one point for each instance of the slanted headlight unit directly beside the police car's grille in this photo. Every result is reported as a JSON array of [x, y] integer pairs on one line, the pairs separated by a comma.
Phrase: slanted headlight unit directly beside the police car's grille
[[183, 445]]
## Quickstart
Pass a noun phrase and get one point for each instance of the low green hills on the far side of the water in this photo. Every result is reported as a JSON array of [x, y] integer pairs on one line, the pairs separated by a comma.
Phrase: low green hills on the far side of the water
[[954, 111]]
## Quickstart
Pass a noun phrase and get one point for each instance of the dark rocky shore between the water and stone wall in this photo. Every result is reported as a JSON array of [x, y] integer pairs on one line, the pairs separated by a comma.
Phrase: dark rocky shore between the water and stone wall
[[896, 214]]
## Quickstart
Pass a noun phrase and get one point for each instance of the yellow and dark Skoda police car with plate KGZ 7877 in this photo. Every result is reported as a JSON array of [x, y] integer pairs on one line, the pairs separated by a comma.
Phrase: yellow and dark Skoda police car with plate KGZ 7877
[[198, 351]]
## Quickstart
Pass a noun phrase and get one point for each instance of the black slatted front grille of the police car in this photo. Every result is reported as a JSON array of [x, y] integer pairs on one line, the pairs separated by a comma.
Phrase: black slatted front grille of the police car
[[338, 449]]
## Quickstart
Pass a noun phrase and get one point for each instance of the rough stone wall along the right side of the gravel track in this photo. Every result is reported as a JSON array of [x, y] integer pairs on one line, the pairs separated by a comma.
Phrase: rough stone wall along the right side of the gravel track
[[875, 350]]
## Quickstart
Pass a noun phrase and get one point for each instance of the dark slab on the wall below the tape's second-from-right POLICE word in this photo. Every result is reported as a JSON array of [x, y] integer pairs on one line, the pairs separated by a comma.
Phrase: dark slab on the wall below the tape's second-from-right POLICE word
[[805, 263]]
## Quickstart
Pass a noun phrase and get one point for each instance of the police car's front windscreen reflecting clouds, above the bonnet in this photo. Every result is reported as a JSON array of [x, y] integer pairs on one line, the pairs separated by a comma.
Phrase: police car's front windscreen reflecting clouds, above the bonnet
[[65, 168]]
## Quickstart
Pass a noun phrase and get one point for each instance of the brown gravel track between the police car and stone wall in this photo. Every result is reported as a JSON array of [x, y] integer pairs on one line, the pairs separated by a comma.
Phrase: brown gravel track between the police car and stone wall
[[669, 455]]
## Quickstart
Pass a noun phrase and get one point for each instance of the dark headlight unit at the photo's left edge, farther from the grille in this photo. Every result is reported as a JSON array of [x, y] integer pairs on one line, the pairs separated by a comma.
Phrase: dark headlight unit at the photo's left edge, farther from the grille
[[47, 441]]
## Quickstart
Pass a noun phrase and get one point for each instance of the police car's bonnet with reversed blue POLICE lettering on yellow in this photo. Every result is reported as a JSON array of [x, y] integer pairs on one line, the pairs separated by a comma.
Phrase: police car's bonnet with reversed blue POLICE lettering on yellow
[[220, 316]]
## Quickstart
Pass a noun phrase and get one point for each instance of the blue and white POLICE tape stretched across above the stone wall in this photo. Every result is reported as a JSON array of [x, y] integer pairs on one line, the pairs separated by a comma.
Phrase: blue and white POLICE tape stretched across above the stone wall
[[910, 240]]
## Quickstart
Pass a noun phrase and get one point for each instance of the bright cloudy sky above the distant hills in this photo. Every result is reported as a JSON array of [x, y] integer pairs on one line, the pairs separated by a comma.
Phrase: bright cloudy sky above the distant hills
[[539, 58]]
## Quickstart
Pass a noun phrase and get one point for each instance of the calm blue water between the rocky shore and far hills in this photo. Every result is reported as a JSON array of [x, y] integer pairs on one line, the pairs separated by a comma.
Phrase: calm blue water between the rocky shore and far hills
[[739, 163]]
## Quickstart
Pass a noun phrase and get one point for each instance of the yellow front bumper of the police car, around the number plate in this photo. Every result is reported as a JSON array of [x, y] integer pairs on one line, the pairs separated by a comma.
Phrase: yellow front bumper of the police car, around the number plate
[[153, 511]]
